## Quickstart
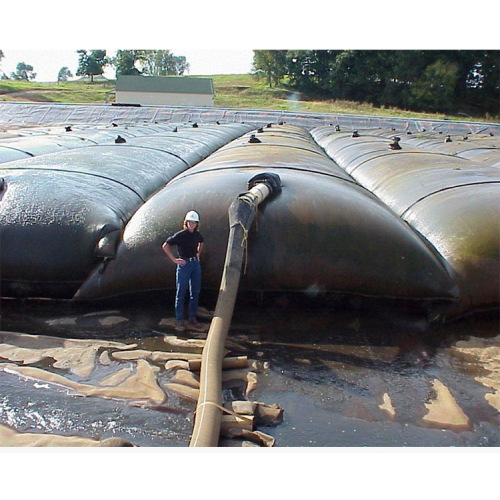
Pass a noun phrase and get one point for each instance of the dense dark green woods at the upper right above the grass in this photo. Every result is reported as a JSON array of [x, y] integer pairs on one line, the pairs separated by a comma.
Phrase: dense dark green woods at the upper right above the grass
[[420, 80]]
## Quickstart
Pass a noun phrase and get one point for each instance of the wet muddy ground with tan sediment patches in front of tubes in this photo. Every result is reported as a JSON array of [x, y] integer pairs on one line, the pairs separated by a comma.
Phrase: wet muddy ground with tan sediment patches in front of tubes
[[344, 377]]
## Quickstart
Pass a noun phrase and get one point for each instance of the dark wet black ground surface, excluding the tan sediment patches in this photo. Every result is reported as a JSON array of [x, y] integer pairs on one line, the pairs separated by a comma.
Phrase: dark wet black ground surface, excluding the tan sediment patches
[[329, 368]]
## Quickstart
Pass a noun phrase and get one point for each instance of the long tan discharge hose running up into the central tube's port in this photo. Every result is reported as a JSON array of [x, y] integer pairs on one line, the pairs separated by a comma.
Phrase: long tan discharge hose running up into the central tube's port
[[208, 415]]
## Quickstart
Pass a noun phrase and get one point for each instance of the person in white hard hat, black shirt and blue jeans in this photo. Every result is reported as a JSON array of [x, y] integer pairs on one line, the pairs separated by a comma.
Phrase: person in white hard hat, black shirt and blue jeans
[[189, 242]]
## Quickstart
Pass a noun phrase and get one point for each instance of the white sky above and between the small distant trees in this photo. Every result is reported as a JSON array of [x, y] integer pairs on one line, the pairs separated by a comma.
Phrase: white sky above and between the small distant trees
[[47, 62]]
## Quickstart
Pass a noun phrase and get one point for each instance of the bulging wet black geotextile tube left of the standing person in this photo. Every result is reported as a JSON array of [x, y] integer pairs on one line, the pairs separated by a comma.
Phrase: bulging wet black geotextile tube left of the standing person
[[66, 210]]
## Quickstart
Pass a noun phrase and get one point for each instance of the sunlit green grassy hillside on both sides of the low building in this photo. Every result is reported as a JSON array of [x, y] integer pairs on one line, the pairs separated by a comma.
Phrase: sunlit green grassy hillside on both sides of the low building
[[231, 91]]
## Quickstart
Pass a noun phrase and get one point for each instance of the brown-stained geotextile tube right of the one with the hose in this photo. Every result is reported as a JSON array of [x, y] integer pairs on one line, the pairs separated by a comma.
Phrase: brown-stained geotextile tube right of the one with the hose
[[452, 201]]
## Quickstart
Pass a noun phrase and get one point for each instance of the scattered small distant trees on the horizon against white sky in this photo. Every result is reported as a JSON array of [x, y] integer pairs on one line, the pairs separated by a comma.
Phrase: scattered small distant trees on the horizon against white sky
[[93, 63]]
